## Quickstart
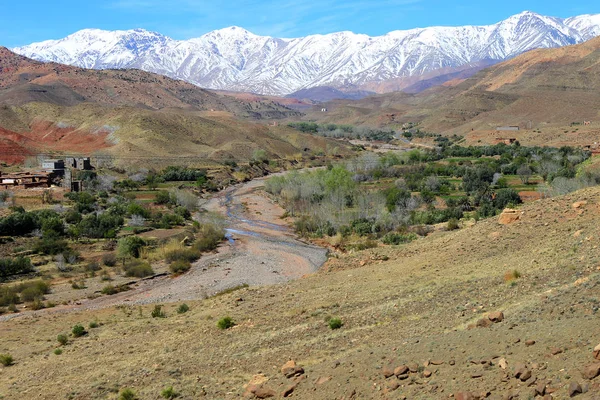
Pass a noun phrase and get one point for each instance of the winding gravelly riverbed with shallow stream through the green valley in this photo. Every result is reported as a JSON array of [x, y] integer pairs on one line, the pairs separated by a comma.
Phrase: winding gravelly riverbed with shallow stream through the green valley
[[261, 250]]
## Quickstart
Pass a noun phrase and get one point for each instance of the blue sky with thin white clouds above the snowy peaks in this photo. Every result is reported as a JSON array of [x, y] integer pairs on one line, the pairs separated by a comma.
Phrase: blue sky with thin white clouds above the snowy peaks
[[23, 22]]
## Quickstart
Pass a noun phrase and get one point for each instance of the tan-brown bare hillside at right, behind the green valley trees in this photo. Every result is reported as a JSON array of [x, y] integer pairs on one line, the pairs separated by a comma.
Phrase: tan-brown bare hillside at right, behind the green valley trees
[[542, 89]]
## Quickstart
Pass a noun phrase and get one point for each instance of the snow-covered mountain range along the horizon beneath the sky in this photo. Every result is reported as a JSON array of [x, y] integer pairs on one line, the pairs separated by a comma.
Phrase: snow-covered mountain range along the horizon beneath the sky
[[235, 59]]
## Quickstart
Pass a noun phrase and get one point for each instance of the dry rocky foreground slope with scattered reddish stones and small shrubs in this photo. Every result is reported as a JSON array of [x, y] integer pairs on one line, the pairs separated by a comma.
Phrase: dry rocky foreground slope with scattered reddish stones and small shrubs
[[406, 305]]
